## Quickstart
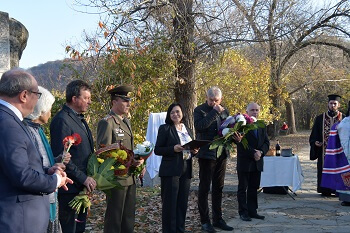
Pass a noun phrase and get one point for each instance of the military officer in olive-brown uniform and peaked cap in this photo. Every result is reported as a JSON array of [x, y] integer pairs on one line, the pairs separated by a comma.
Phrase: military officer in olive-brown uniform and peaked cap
[[115, 127]]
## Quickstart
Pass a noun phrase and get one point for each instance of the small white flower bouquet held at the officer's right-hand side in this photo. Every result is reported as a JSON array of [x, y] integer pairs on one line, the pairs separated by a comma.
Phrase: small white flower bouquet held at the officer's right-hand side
[[142, 151]]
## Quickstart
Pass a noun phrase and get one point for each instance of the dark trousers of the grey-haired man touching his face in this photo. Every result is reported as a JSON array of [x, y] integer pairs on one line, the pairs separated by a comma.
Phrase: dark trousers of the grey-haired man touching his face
[[211, 172]]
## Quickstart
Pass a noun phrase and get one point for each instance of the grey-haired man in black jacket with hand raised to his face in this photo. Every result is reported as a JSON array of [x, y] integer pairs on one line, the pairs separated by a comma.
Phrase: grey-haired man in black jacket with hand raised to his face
[[212, 167]]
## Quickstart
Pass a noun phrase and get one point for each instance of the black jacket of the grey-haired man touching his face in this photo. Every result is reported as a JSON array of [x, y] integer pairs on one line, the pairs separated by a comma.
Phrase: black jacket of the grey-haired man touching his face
[[206, 123]]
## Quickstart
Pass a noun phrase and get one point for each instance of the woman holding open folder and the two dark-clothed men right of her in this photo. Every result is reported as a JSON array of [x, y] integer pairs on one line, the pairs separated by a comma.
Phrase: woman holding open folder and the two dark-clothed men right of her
[[176, 167]]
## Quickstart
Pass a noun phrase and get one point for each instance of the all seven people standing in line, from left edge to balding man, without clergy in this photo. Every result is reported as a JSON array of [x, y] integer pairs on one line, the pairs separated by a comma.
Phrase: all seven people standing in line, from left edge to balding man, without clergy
[[38, 179]]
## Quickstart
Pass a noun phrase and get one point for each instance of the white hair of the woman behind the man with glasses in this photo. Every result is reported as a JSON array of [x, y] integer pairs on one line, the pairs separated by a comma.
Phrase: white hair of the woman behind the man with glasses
[[43, 105]]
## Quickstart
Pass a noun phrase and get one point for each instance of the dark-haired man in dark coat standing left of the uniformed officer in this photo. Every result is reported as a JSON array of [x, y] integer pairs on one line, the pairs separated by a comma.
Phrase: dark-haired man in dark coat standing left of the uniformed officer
[[66, 122]]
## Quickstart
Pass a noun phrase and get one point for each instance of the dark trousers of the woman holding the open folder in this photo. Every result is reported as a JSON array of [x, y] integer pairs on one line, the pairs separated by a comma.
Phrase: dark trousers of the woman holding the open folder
[[174, 192]]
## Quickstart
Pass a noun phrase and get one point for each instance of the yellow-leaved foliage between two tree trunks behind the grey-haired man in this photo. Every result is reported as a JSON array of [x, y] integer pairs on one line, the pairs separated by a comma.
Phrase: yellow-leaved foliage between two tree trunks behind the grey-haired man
[[241, 82]]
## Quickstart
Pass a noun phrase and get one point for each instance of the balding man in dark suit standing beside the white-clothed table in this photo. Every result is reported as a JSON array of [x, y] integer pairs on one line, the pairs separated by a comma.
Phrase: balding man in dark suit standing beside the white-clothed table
[[250, 164]]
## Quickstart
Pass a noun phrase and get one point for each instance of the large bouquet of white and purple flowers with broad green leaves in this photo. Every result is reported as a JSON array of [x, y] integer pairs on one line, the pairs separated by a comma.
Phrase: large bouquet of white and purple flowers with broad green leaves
[[241, 123]]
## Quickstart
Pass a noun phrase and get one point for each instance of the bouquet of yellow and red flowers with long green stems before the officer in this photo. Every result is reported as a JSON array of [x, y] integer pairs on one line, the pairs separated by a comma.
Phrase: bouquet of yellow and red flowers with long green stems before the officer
[[104, 165]]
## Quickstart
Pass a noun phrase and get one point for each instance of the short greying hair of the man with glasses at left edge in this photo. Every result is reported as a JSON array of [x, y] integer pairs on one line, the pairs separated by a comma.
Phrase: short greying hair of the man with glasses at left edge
[[14, 81]]
